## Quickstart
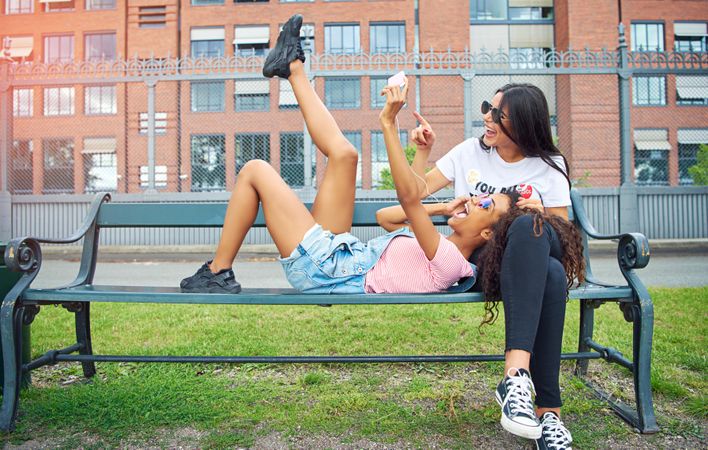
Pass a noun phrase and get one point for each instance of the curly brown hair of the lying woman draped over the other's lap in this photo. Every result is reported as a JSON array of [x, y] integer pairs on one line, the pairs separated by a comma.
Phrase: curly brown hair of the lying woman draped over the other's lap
[[491, 258]]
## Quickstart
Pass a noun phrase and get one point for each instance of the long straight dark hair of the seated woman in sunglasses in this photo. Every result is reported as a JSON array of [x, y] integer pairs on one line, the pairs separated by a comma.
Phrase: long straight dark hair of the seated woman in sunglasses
[[531, 131]]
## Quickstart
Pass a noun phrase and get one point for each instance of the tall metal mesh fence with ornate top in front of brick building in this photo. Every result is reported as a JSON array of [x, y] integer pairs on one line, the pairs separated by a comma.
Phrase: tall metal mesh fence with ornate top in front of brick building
[[624, 119]]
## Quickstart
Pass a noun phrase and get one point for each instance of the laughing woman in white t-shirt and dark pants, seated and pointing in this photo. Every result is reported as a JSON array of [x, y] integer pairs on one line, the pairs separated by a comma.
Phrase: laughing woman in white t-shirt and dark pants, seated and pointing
[[517, 153]]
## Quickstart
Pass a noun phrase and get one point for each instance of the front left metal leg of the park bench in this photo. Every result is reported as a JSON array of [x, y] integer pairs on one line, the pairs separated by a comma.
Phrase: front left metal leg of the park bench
[[10, 329]]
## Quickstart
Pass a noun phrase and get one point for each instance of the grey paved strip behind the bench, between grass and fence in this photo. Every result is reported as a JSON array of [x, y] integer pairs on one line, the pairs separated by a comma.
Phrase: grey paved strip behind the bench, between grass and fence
[[666, 268]]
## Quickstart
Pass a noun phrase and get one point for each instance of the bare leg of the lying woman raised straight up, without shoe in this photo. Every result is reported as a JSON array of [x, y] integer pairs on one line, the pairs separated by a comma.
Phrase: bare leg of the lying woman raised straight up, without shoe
[[333, 207]]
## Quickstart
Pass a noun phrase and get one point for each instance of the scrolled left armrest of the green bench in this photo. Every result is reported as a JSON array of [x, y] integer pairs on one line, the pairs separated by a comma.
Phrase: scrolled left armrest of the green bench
[[24, 254]]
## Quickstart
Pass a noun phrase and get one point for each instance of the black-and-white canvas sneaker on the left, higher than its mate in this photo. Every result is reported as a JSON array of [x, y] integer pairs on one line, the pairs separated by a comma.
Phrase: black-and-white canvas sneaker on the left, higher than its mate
[[514, 396]]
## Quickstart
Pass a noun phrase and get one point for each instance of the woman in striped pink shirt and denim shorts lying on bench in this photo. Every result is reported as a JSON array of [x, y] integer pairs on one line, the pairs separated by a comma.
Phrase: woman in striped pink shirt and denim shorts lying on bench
[[318, 253]]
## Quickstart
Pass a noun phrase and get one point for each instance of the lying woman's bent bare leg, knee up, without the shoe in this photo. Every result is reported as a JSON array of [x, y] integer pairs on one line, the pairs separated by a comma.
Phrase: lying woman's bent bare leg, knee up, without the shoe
[[287, 219]]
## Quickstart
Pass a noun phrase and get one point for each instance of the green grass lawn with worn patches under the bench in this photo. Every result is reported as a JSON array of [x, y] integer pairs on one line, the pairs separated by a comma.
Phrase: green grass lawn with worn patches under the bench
[[334, 406]]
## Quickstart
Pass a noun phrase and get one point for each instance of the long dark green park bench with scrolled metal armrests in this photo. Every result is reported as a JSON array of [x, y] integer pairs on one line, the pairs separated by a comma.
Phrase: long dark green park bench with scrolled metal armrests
[[22, 303]]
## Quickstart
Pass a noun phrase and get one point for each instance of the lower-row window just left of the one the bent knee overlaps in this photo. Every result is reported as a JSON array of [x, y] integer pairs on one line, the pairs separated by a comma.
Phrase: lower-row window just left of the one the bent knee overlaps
[[208, 168]]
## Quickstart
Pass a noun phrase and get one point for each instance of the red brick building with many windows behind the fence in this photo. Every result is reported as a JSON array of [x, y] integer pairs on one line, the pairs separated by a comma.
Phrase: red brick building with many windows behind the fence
[[76, 138]]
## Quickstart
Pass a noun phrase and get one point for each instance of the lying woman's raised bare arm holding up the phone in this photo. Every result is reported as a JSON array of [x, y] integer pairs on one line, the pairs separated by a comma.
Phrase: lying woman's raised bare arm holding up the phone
[[407, 189]]
